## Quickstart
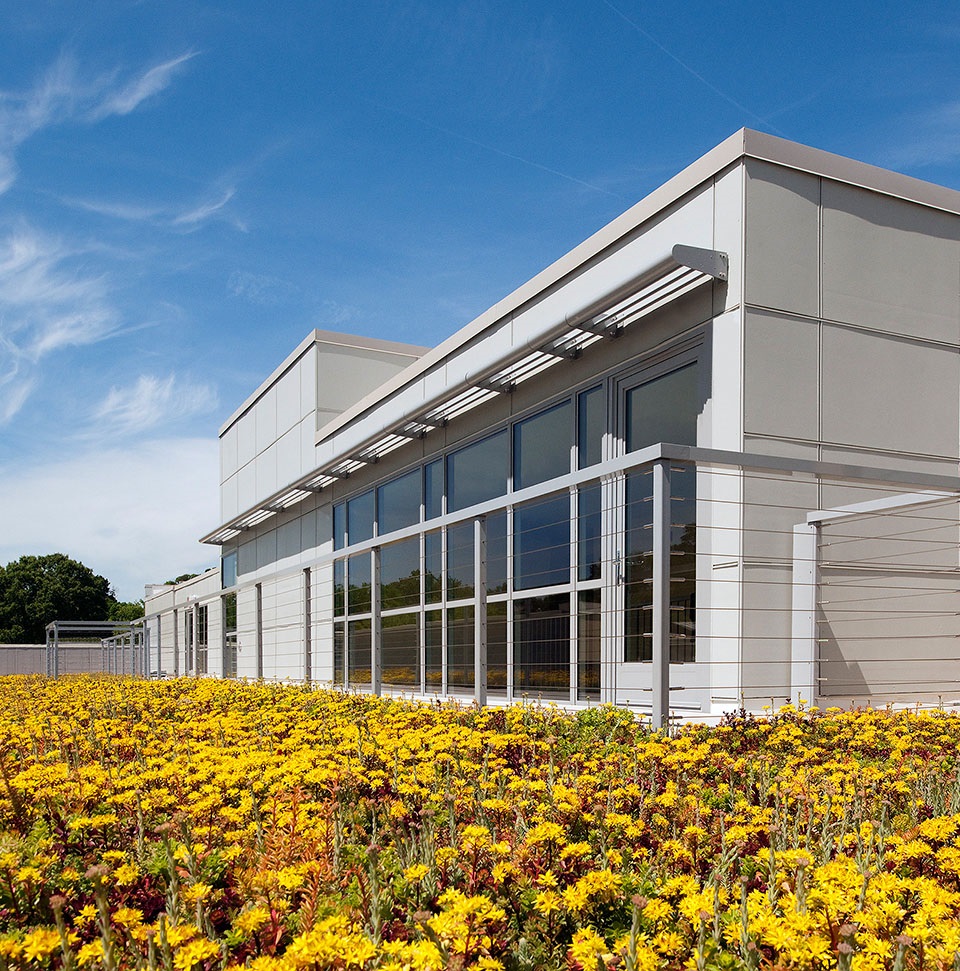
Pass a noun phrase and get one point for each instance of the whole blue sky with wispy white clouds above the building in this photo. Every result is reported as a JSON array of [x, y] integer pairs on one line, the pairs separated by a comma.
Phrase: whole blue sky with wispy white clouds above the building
[[186, 189]]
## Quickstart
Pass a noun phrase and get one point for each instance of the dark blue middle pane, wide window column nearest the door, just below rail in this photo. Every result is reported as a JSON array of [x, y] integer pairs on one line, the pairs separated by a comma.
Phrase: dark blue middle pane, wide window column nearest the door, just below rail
[[541, 543]]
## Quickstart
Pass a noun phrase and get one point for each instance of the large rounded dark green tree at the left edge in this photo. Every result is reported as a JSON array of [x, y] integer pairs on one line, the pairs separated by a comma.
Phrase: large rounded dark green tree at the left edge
[[35, 590]]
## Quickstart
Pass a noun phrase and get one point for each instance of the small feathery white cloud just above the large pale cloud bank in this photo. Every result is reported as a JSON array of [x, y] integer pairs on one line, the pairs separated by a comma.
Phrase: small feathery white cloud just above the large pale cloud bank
[[149, 402]]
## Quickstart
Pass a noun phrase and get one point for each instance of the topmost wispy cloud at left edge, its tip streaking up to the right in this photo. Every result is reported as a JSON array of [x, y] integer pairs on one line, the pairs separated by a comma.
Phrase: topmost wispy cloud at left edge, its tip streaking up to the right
[[62, 94]]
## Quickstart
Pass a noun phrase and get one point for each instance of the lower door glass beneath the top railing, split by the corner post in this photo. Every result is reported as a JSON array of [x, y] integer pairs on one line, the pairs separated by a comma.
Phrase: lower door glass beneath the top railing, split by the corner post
[[638, 577]]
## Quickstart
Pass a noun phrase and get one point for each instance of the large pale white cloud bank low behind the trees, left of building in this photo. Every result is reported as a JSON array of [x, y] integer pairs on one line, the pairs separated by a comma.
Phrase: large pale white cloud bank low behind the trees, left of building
[[133, 515]]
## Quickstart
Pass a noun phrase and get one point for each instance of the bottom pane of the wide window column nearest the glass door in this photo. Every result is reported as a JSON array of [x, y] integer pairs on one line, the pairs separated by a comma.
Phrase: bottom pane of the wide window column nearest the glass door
[[541, 646]]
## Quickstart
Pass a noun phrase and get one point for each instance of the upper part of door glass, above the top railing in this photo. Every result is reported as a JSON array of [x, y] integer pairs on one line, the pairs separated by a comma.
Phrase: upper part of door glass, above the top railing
[[664, 410]]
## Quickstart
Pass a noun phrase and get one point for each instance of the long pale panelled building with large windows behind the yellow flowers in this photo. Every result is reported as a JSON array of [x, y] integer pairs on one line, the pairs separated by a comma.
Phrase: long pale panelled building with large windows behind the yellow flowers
[[725, 429]]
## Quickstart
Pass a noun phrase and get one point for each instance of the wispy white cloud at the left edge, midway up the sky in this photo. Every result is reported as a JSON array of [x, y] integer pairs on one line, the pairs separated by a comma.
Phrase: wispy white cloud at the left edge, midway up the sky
[[47, 302]]
